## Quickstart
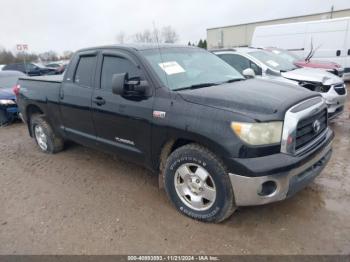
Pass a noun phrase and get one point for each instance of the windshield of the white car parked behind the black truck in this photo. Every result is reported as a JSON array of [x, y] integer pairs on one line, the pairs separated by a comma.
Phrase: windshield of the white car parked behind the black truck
[[273, 61]]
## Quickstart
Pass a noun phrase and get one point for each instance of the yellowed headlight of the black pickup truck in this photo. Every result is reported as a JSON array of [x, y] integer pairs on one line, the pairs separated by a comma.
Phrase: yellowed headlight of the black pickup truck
[[258, 133]]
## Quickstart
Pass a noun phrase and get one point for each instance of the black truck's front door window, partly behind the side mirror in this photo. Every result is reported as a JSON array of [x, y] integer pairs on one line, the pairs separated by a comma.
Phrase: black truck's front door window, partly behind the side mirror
[[116, 65]]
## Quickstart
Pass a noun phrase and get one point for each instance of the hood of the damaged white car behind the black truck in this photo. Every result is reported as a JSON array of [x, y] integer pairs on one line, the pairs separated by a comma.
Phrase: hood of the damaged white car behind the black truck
[[312, 75]]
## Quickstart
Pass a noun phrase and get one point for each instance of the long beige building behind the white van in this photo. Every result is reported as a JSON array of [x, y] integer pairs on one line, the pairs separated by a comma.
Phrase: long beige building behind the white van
[[241, 34]]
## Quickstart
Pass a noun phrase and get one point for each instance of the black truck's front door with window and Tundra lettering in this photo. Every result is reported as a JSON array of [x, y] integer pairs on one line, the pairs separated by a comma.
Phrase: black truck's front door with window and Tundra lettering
[[123, 125]]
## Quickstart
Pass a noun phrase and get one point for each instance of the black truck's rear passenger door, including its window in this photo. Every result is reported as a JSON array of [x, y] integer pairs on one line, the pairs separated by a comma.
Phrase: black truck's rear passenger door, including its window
[[75, 99]]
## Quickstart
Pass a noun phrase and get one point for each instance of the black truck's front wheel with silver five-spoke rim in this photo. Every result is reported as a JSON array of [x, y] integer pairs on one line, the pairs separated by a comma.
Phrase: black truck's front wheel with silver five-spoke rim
[[197, 183]]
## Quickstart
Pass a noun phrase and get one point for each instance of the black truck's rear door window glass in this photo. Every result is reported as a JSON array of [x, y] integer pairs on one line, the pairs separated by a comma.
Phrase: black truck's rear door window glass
[[85, 70]]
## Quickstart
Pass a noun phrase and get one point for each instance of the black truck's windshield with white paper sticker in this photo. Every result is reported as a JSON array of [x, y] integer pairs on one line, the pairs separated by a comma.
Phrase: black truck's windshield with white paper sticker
[[181, 68]]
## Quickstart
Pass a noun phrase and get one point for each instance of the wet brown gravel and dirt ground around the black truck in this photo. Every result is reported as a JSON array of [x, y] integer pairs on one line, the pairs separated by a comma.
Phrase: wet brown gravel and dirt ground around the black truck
[[82, 201]]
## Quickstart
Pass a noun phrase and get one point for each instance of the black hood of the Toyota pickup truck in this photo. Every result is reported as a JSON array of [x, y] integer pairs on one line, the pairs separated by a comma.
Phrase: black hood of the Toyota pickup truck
[[258, 99]]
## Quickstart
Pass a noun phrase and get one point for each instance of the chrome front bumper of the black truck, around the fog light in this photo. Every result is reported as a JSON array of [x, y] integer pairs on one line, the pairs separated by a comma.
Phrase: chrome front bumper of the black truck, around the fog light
[[247, 190]]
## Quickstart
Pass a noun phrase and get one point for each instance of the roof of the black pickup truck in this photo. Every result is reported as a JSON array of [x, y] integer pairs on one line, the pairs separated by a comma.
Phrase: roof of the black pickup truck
[[137, 47]]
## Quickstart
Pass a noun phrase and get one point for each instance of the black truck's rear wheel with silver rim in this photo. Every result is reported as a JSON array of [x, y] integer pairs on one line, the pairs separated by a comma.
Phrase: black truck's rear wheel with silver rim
[[46, 139]]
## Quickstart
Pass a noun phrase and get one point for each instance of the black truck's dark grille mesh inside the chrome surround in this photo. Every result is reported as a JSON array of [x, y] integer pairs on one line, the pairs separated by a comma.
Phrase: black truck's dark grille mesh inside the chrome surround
[[306, 133]]
